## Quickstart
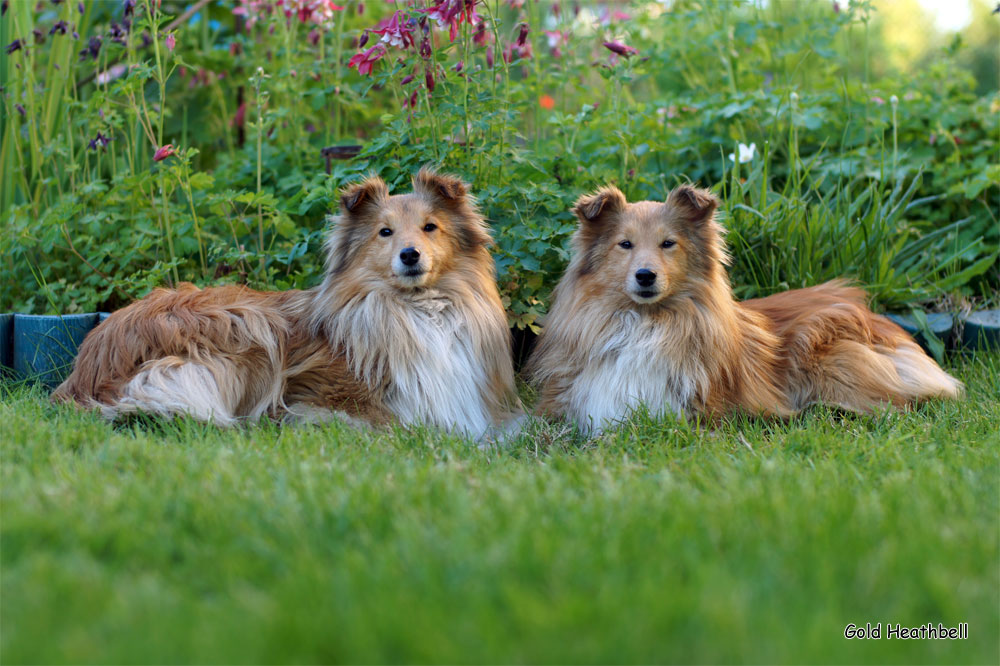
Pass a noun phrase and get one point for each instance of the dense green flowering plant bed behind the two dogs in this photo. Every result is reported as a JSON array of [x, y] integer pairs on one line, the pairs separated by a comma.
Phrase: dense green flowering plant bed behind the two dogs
[[892, 182]]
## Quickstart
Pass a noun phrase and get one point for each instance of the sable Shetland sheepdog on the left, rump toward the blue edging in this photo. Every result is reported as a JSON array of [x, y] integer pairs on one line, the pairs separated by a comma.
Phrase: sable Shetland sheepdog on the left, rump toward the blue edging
[[406, 326]]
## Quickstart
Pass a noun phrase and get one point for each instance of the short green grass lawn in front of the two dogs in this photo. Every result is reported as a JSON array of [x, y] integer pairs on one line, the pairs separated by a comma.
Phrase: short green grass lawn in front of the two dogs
[[757, 542]]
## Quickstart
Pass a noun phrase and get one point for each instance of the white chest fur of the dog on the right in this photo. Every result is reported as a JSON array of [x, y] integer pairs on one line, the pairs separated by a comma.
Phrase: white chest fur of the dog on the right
[[633, 365]]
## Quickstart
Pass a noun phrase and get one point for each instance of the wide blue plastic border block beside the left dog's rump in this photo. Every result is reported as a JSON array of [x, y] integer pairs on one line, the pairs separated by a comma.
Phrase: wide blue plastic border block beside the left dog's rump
[[45, 345]]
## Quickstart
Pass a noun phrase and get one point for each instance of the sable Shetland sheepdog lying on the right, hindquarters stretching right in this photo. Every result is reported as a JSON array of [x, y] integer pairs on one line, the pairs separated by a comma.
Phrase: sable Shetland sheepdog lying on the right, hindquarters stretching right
[[645, 315]]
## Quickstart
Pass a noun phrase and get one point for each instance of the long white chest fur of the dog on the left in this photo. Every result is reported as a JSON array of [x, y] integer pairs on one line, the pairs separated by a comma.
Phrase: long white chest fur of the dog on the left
[[439, 380]]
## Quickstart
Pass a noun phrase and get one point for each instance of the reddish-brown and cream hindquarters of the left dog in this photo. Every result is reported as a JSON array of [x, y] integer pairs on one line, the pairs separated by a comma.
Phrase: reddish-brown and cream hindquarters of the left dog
[[214, 354]]
